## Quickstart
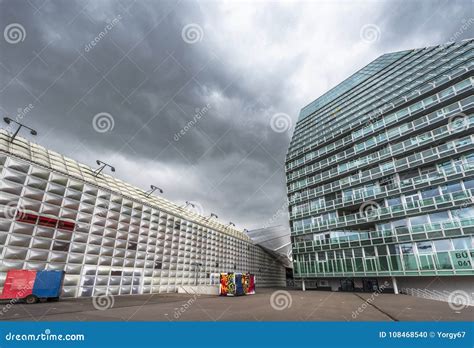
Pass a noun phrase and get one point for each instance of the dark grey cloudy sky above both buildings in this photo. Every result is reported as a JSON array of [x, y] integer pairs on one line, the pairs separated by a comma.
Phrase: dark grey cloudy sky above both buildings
[[198, 98]]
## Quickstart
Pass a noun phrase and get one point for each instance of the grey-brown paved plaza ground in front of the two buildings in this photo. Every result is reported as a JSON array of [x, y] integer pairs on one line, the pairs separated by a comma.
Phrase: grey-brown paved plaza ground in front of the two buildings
[[266, 305]]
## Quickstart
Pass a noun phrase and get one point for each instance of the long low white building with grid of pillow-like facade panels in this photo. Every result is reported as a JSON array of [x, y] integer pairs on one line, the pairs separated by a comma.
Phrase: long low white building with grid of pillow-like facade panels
[[109, 236]]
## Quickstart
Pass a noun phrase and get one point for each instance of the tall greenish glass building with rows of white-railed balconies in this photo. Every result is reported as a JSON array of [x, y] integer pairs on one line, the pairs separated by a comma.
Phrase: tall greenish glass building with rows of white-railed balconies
[[380, 177]]
